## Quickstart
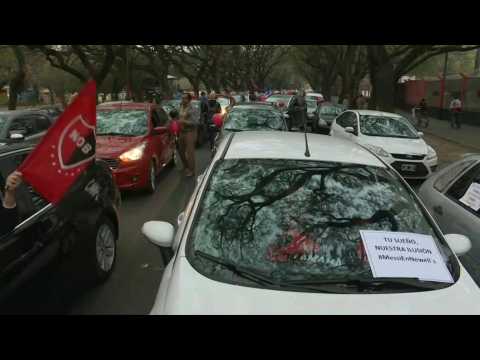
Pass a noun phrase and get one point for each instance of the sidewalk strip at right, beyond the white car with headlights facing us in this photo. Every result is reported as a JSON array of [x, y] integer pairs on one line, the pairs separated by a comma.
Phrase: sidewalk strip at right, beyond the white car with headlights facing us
[[467, 136]]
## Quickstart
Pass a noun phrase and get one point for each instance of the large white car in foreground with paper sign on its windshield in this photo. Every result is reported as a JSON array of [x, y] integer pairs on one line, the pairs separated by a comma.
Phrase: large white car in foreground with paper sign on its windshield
[[274, 229]]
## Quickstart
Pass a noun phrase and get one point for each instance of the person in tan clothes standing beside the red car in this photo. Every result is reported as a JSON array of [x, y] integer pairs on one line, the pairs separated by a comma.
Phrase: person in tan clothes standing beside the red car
[[188, 134]]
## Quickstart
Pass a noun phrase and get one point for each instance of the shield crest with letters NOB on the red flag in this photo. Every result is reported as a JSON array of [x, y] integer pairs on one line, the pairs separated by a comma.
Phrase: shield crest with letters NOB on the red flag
[[77, 144]]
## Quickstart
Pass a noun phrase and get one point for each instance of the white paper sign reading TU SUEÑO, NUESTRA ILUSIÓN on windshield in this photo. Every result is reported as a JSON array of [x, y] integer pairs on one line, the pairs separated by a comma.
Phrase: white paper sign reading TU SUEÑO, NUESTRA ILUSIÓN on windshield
[[404, 255]]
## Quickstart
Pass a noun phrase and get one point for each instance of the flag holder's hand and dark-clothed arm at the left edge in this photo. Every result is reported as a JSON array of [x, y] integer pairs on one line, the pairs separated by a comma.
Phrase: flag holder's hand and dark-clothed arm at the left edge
[[8, 208]]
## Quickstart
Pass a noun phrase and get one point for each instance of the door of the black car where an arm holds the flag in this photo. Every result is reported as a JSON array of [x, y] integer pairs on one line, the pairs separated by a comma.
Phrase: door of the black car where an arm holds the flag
[[27, 242]]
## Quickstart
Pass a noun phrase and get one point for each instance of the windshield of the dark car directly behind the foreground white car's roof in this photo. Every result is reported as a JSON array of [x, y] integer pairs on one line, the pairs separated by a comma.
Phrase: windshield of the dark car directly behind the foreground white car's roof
[[251, 119]]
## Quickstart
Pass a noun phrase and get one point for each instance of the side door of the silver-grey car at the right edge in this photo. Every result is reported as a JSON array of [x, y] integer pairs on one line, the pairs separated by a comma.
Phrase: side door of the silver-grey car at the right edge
[[454, 216]]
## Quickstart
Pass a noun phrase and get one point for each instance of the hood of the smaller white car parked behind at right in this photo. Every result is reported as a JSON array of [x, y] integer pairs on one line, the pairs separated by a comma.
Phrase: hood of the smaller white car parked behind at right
[[396, 145]]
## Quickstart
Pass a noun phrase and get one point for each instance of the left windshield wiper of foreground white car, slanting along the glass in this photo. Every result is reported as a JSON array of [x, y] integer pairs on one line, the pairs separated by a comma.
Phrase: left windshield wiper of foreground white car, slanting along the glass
[[255, 276]]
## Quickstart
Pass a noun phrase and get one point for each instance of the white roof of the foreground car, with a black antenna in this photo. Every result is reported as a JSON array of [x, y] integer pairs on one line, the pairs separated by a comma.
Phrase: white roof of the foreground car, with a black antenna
[[291, 145]]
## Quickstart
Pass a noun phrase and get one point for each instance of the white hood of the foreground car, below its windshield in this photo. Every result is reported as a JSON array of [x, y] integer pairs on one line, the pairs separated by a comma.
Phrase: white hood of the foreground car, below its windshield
[[189, 292]]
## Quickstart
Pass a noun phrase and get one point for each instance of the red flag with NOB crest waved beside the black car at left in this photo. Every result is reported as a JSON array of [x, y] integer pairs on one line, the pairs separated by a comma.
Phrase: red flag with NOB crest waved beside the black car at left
[[67, 149]]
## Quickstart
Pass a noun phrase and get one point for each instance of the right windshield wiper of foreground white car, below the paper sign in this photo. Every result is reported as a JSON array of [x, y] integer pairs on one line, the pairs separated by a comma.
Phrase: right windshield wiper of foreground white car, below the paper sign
[[374, 283]]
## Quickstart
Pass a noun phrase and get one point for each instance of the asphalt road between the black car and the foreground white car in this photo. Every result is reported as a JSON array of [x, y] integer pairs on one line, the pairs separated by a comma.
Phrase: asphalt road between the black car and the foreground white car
[[136, 278]]
